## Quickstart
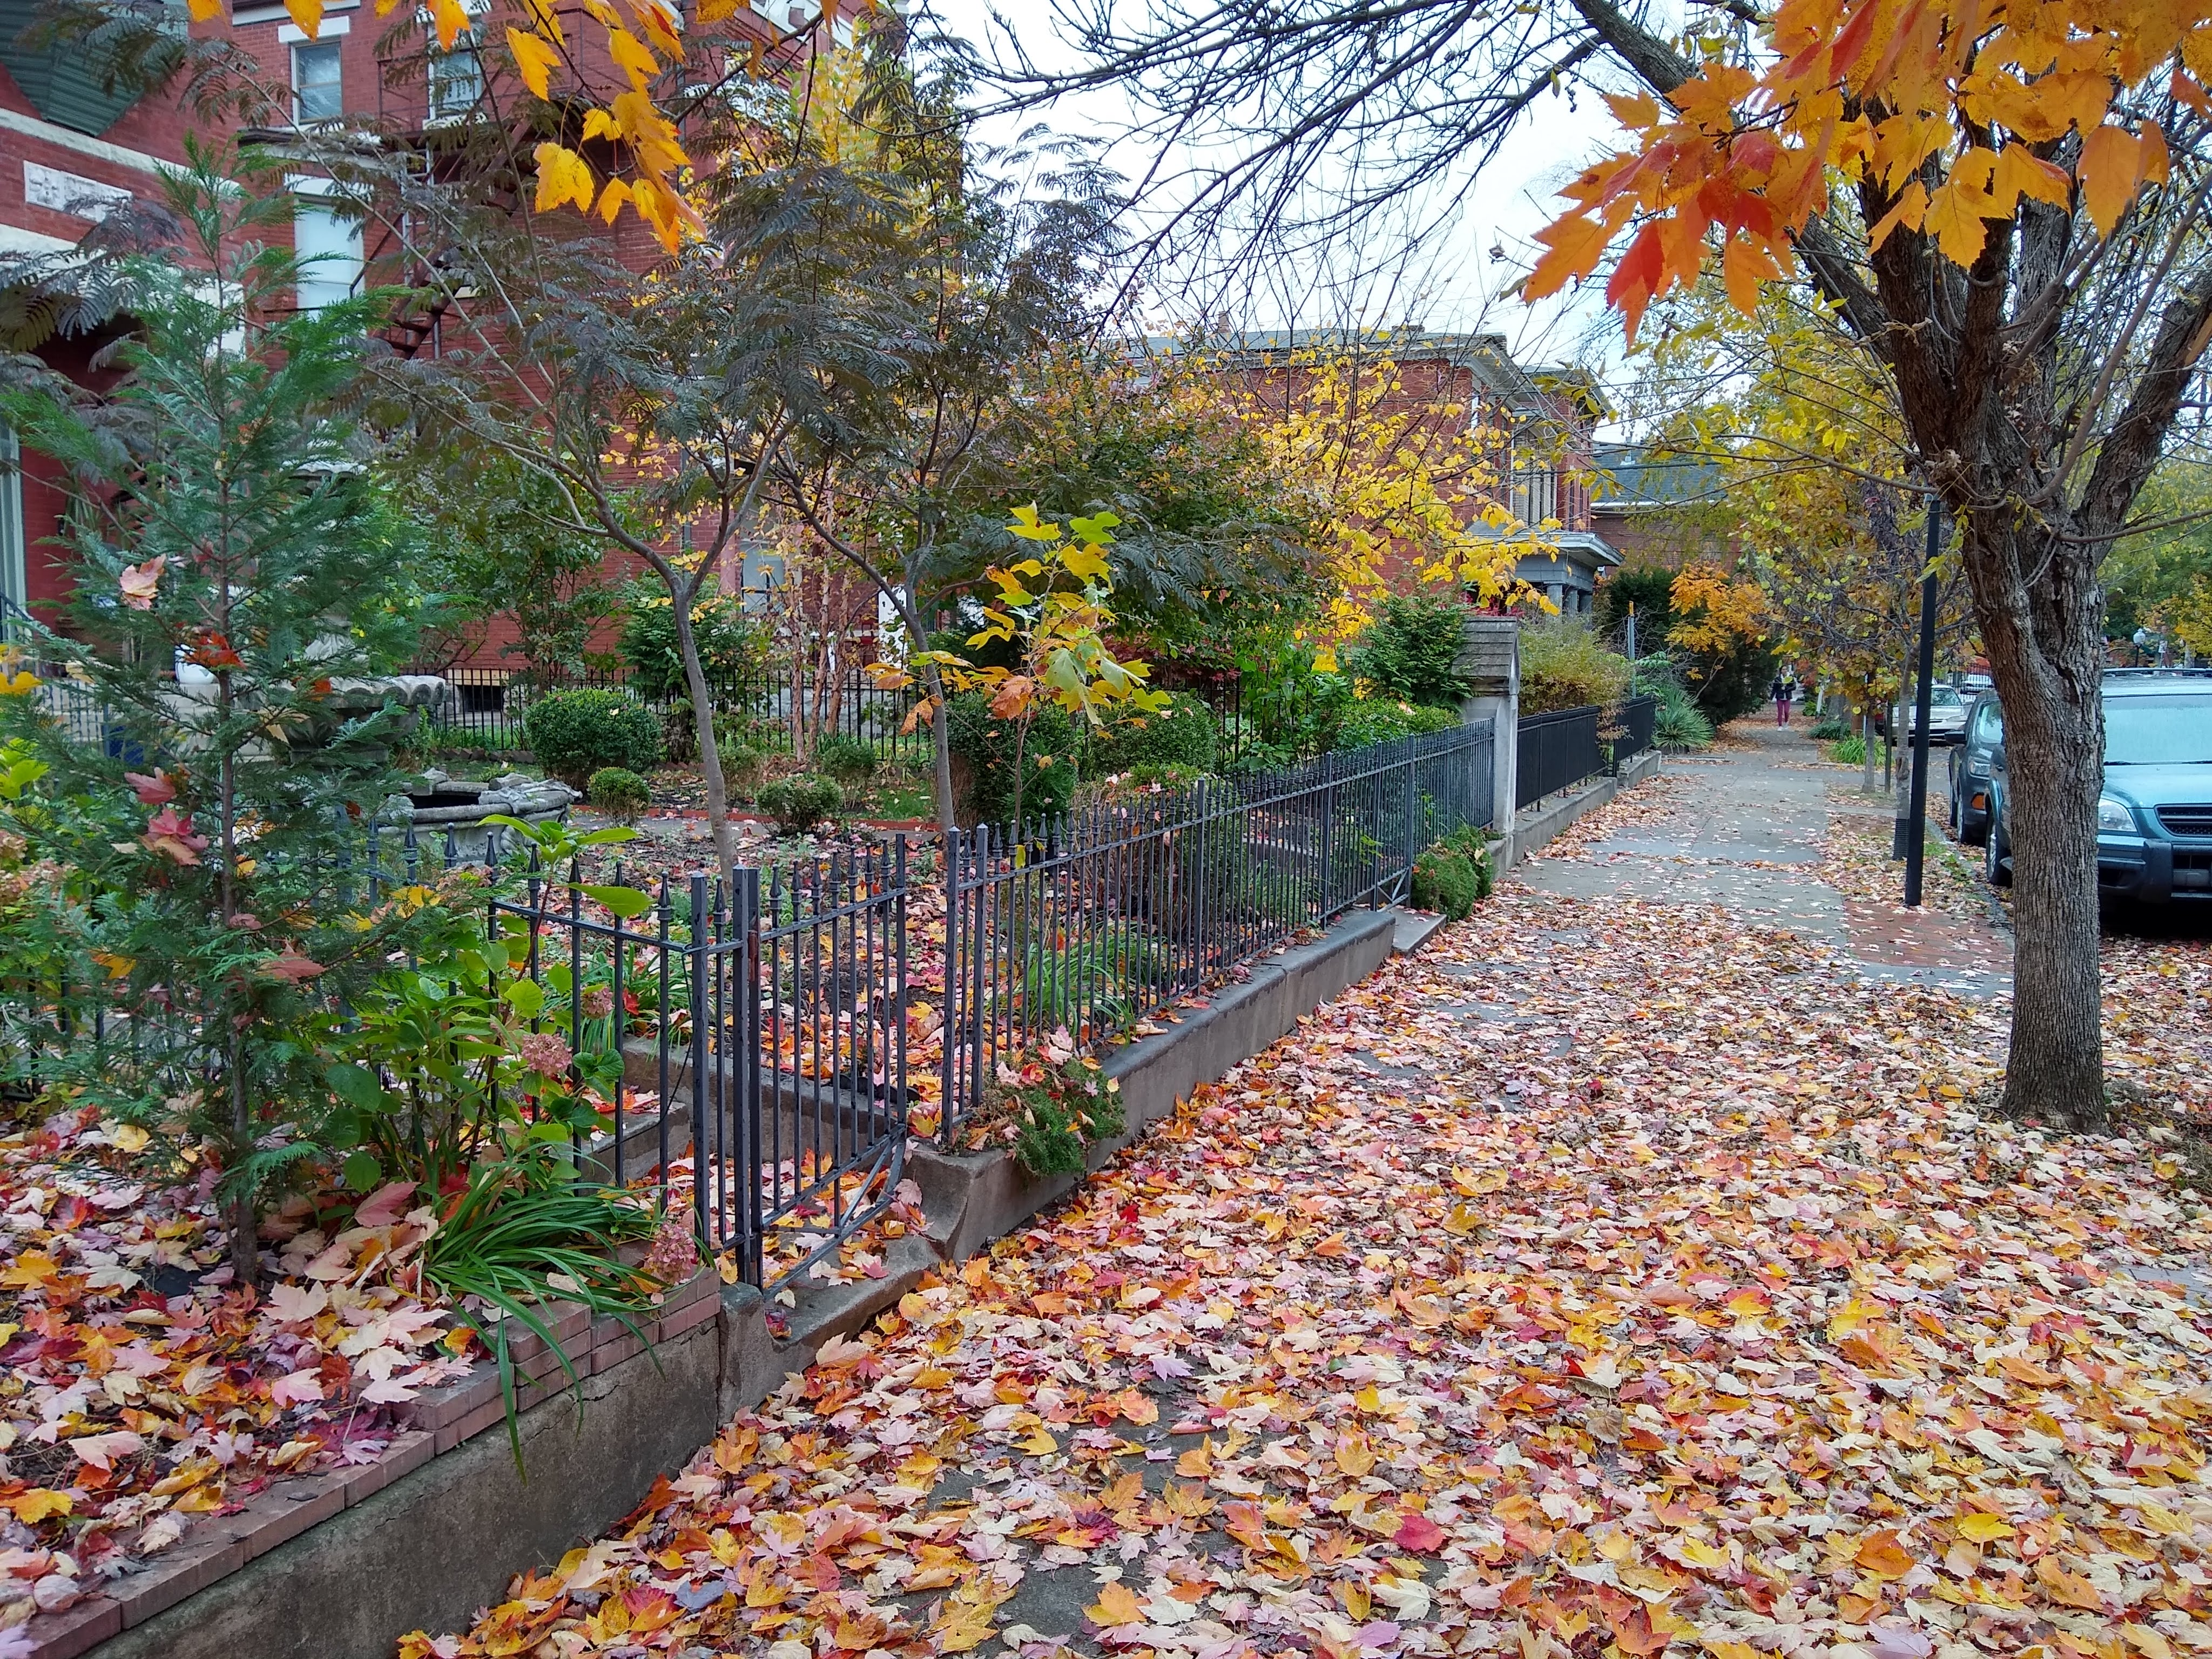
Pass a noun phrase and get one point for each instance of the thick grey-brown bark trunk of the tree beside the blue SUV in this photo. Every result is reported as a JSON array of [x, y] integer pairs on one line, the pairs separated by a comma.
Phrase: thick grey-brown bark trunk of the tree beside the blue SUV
[[2045, 645]]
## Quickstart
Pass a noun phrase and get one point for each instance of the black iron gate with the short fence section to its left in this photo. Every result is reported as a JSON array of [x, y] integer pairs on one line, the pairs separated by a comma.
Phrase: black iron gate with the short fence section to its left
[[760, 1032]]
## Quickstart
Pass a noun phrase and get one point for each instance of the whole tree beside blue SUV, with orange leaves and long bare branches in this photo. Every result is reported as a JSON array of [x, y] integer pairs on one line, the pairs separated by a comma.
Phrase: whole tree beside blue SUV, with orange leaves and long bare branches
[[2003, 205]]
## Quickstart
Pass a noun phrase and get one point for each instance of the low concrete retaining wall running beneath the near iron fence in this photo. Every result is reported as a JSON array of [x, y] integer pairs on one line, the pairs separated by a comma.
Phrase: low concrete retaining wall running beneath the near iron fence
[[444, 1538]]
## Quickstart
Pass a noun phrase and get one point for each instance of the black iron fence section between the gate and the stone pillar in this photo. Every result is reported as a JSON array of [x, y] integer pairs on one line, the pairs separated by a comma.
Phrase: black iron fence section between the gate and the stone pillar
[[1103, 919]]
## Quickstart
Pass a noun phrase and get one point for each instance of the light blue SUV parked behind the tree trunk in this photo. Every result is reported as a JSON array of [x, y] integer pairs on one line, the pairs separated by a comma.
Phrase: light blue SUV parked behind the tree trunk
[[2156, 813]]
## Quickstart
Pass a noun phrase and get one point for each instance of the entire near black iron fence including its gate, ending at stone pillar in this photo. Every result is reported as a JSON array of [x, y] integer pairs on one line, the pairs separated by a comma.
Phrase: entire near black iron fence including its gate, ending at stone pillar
[[749, 1036]]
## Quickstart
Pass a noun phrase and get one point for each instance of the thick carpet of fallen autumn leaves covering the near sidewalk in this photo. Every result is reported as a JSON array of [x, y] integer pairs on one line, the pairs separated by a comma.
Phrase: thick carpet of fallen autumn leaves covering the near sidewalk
[[1609, 1277]]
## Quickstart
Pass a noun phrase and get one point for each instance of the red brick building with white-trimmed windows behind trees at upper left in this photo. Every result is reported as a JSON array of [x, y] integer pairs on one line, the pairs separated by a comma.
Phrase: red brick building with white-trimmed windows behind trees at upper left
[[70, 154]]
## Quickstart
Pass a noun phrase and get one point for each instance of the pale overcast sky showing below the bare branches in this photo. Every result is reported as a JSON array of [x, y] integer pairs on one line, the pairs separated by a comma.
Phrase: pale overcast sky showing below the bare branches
[[1452, 282]]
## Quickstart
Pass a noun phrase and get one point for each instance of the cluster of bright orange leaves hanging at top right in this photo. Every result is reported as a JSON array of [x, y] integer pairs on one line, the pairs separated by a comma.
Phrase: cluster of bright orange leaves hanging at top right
[[1950, 114]]
